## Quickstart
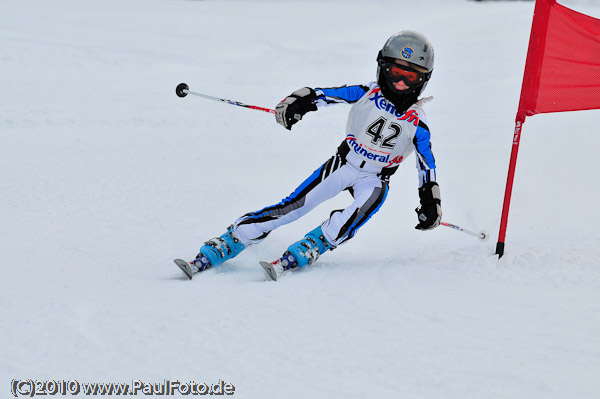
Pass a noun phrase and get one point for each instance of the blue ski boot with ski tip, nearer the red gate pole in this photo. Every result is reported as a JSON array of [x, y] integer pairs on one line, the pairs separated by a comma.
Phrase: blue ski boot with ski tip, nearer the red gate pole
[[299, 254]]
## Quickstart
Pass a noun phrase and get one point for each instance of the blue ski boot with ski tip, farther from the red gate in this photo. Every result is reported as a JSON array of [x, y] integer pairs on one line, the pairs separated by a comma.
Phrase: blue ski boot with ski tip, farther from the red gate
[[214, 252]]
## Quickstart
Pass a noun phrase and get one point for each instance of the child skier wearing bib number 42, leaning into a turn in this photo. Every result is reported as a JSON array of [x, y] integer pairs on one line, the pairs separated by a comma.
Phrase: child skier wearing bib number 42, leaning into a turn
[[385, 124]]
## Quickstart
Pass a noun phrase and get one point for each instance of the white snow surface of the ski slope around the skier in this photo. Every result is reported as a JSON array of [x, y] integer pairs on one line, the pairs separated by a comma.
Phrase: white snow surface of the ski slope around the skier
[[106, 176]]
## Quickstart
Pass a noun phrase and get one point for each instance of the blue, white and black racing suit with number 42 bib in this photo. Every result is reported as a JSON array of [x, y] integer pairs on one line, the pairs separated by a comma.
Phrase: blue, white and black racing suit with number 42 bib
[[378, 140]]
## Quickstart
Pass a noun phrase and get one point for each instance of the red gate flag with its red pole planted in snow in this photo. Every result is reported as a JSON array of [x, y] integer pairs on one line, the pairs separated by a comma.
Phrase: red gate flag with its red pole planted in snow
[[562, 73]]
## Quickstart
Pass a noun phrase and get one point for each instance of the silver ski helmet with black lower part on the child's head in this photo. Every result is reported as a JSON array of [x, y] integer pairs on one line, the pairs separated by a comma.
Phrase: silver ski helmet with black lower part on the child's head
[[412, 47]]
